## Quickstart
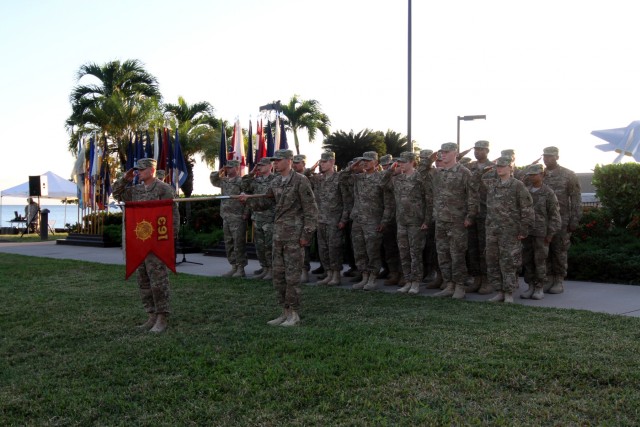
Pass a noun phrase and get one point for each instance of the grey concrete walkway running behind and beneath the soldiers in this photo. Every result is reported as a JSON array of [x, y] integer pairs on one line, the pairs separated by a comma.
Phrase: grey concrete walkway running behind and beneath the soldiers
[[598, 297]]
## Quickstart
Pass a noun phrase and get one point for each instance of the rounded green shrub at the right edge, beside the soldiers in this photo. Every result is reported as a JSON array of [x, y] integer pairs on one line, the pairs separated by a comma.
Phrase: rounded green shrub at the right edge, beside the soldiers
[[618, 188]]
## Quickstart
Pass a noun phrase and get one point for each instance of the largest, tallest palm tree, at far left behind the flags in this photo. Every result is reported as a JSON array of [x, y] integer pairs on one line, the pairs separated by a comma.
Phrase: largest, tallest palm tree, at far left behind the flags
[[124, 99]]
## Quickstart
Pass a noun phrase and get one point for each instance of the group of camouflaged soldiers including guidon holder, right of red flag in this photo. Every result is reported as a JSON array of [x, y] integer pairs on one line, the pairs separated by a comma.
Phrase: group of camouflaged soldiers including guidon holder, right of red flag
[[432, 219]]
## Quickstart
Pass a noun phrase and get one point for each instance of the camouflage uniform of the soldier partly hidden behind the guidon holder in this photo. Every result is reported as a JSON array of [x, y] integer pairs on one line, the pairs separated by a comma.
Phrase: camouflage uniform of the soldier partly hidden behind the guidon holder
[[262, 220]]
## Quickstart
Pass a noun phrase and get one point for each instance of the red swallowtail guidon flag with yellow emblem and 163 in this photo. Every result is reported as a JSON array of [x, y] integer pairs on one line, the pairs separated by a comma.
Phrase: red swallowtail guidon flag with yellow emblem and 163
[[149, 228]]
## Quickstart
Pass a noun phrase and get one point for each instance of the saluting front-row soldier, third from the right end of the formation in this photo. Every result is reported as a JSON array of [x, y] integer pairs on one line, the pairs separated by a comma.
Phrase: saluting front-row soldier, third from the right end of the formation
[[509, 218]]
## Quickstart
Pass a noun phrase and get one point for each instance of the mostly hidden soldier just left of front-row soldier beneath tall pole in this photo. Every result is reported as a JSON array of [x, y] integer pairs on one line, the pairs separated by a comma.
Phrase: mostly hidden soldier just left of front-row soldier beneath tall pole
[[390, 255]]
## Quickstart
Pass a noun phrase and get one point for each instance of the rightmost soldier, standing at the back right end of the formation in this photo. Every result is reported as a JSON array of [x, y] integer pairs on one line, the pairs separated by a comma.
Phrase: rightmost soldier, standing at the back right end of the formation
[[567, 188]]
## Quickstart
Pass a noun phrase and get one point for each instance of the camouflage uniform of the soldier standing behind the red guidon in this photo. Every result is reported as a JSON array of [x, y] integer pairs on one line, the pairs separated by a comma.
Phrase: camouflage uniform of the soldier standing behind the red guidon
[[152, 274]]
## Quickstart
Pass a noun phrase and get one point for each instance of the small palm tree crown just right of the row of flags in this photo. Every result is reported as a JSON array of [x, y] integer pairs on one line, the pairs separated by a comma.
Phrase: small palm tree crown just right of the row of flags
[[305, 114]]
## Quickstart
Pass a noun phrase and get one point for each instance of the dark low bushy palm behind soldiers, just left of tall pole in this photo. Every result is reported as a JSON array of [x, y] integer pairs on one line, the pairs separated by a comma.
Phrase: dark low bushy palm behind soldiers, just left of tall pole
[[347, 146]]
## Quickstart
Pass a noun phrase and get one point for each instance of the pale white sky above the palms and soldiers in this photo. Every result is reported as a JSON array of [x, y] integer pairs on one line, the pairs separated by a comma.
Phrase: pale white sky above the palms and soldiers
[[544, 73]]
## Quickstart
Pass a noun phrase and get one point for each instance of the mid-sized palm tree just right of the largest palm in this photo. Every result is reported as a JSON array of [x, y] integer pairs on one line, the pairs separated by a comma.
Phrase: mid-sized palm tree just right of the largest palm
[[195, 124]]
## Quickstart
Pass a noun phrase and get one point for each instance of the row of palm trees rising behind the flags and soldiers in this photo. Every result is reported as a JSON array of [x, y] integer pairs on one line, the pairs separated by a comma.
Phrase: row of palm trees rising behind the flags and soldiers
[[117, 99]]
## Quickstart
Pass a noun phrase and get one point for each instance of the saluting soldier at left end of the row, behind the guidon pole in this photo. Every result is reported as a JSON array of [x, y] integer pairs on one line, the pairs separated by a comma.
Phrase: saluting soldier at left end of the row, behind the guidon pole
[[234, 217]]
